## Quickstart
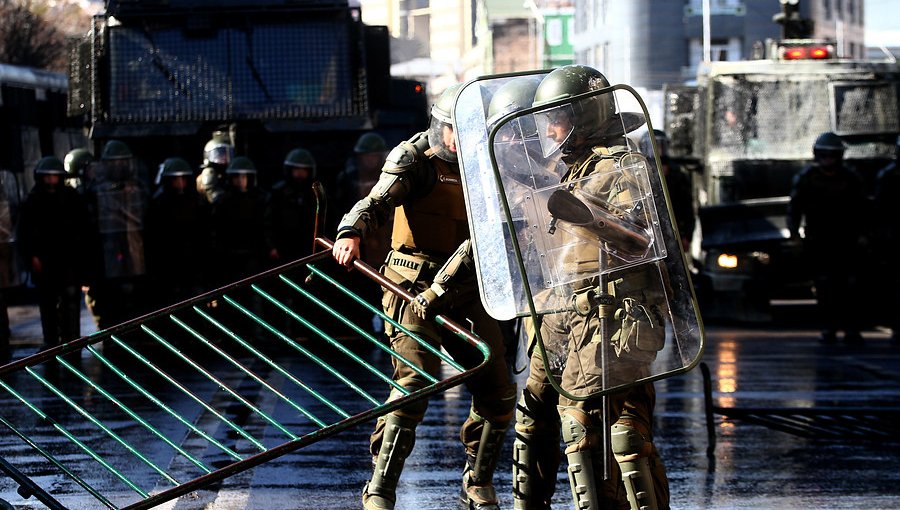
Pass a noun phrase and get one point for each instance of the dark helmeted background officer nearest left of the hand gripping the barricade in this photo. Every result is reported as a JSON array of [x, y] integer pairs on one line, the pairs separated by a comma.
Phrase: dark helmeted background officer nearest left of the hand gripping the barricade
[[291, 211]]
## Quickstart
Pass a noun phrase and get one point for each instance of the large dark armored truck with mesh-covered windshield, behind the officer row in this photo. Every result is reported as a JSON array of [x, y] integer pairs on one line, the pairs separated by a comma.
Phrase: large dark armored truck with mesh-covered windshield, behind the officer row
[[163, 75]]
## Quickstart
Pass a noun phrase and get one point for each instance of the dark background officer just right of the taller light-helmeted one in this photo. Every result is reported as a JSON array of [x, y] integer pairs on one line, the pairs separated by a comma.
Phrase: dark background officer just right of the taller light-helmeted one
[[237, 219]]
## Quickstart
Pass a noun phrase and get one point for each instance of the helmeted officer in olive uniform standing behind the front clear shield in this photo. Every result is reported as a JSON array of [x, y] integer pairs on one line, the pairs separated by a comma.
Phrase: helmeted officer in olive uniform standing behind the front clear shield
[[626, 310]]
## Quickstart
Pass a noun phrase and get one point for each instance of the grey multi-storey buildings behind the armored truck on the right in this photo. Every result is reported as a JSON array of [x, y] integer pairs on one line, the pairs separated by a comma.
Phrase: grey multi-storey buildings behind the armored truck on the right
[[648, 43]]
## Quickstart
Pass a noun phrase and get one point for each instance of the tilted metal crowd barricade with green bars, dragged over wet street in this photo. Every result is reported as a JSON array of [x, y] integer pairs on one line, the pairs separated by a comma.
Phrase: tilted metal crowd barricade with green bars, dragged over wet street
[[207, 388]]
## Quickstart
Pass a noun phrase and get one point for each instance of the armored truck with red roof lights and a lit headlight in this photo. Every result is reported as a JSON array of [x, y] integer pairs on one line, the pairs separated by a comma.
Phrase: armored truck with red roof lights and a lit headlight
[[750, 126]]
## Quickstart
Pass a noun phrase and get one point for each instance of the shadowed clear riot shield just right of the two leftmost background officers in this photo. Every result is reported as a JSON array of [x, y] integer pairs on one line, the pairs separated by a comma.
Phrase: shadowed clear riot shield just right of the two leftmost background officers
[[121, 202]]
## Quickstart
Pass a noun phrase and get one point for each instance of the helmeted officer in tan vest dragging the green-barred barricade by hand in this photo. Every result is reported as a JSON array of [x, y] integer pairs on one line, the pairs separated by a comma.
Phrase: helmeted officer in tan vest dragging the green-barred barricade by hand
[[430, 256]]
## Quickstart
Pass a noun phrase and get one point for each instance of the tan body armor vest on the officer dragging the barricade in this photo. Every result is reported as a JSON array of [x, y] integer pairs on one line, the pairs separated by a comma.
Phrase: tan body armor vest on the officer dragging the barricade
[[435, 223]]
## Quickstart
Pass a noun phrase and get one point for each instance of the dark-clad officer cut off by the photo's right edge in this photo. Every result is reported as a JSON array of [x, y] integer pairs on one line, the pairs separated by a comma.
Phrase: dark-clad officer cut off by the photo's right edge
[[887, 217]]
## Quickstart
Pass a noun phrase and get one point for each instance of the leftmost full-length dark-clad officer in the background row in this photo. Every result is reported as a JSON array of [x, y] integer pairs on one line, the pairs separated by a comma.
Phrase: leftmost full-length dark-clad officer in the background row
[[54, 232]]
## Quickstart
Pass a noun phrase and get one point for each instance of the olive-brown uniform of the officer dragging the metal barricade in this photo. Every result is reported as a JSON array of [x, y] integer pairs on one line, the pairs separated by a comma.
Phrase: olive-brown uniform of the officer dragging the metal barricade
[[430, 222]]
